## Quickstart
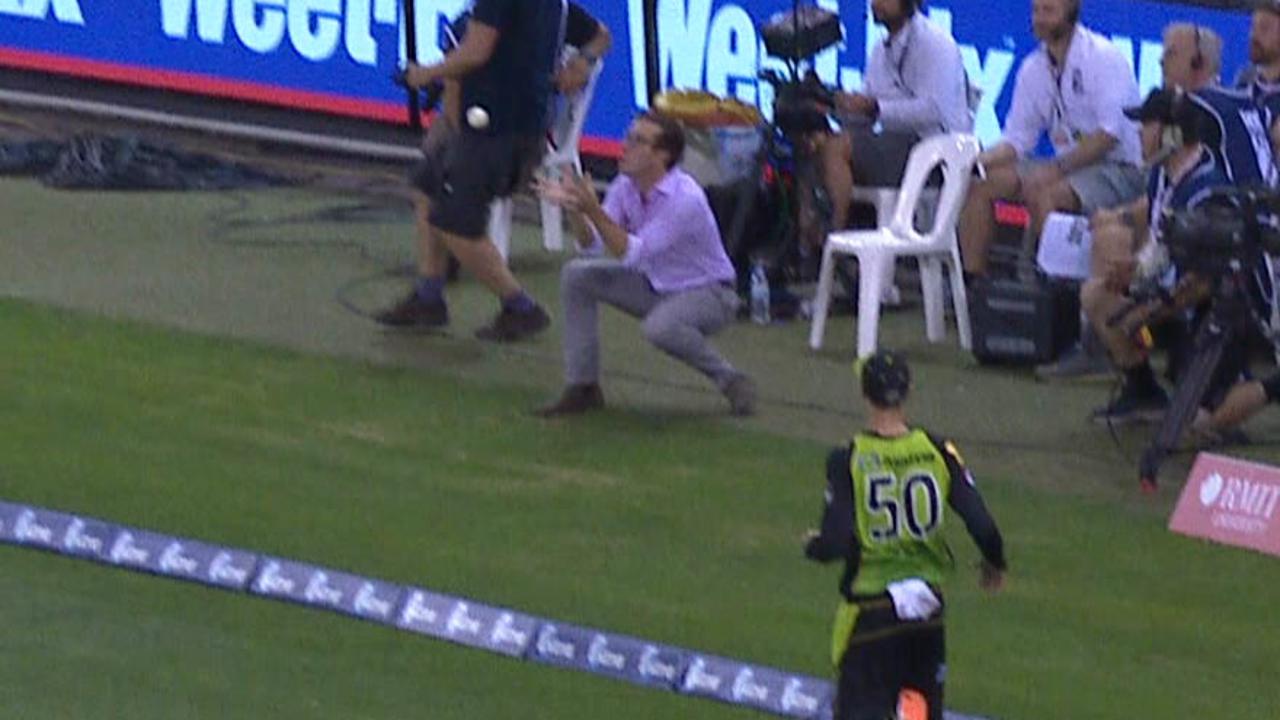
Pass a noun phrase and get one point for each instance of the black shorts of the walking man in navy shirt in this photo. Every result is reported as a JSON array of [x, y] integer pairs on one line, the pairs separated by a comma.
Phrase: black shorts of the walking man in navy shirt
[[465, 174]]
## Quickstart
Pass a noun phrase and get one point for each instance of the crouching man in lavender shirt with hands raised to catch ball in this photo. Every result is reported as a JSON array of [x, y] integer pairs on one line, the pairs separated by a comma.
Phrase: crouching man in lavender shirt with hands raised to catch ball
[[660, 258]]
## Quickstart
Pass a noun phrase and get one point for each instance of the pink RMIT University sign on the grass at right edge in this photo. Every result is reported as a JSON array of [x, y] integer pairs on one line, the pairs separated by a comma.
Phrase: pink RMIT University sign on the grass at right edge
[[1233, 503]]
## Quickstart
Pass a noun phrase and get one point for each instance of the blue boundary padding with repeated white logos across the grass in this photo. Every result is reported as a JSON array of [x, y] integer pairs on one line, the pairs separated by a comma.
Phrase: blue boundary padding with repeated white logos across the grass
[[417, 610]]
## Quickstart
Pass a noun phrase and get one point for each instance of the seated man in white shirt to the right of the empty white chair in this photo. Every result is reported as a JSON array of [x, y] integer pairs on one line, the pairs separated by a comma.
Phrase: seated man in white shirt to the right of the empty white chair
[[1075, 88]]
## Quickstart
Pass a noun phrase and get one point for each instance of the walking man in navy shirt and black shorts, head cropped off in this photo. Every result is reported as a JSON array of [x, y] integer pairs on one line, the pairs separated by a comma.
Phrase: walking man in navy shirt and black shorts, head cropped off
[[505, 70]]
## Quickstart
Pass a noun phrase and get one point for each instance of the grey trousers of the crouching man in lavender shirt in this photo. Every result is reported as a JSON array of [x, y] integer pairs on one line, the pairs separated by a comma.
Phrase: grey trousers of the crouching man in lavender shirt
[[679, 323]]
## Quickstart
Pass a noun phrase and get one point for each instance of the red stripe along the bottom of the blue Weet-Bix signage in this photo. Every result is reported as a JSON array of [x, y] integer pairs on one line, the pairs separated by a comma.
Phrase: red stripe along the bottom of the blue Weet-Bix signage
[[236, 90]]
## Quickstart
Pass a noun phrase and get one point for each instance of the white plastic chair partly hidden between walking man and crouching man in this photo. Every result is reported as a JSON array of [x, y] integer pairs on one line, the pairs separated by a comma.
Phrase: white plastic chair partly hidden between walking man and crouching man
[[563, 151]]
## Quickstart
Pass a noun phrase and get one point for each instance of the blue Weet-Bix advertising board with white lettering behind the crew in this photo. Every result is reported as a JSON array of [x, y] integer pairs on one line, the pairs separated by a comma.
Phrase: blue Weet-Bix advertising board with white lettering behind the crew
[[336, 56]]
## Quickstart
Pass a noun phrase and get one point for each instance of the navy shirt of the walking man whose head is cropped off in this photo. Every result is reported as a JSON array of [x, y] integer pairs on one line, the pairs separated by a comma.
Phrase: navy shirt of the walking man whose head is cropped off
[[516, 84]]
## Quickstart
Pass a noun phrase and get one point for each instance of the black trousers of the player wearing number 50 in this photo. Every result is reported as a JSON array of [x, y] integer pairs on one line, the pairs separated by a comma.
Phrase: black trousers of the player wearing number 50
[[886, 655]]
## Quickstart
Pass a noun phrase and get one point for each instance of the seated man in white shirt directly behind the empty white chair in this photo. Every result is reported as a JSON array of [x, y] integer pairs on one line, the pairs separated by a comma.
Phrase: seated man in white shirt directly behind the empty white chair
[[915, 88]]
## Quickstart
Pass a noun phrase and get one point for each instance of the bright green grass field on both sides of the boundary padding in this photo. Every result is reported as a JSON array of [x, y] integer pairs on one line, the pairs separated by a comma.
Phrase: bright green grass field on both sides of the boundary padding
[[685, 531]]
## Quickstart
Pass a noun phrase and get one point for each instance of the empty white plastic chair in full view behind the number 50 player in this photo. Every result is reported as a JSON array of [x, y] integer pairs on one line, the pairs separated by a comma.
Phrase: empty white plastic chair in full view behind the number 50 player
[[877, 250]]
